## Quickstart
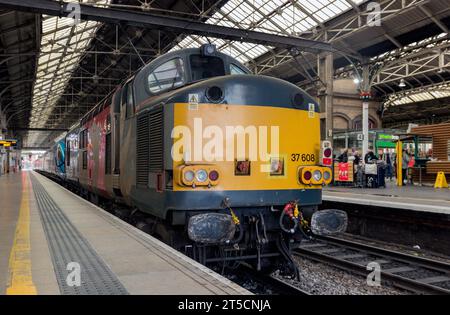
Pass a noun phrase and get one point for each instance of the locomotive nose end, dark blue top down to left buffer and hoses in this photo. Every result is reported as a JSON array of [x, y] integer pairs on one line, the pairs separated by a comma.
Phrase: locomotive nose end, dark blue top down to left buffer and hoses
[[254, 160]]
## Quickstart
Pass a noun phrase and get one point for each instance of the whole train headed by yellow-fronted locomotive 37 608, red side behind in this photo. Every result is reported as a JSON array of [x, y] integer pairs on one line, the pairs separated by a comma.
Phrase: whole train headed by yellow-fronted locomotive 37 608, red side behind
[[194, 149]]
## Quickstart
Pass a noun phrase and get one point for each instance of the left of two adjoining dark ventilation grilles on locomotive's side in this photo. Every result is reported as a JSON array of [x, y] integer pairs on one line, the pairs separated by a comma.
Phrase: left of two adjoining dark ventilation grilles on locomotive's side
[[142, 150]]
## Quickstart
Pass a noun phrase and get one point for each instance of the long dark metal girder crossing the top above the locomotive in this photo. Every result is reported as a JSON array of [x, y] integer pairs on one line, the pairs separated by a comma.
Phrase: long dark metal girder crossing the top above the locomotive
[[122, 17]]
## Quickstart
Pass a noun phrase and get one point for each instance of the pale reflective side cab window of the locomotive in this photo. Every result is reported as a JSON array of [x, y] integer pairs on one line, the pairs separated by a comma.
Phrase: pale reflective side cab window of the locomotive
[[167, 76]]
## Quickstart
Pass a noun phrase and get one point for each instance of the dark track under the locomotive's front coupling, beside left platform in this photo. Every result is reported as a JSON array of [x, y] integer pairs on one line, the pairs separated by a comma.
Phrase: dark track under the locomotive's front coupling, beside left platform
[[276, 285]]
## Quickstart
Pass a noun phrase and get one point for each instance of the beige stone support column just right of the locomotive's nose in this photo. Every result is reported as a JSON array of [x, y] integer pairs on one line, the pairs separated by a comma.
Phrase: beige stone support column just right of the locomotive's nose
[[326, 71]]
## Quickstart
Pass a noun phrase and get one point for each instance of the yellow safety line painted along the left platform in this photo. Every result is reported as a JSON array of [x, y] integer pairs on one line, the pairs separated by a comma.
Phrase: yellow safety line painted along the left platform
[[20, 276]]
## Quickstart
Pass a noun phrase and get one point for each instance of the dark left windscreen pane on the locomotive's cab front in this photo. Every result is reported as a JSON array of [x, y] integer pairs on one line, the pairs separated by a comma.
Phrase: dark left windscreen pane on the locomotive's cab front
[[204, 67]]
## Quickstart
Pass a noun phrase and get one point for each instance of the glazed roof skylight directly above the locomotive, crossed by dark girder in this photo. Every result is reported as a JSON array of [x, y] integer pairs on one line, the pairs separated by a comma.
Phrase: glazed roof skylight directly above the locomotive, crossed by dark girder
[[283, 17]]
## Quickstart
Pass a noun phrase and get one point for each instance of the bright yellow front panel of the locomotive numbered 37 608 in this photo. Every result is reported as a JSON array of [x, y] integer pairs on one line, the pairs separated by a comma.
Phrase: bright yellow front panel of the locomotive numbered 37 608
[[247, 148]]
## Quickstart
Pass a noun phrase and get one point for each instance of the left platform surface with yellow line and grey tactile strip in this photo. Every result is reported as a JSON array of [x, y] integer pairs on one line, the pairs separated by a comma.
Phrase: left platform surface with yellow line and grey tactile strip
[[54, 242]]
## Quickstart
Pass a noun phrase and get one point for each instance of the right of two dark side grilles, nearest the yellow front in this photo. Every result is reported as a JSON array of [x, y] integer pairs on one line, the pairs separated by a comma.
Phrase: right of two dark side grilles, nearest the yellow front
[[156, 140]]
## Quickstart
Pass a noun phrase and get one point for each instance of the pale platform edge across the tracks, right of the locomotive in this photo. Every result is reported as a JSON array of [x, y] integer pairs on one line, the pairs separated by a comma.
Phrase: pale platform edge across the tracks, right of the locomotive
[[409, 197]]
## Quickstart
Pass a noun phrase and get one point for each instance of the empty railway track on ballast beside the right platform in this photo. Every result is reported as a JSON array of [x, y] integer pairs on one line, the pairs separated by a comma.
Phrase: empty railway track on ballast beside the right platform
[[412, 273]]
